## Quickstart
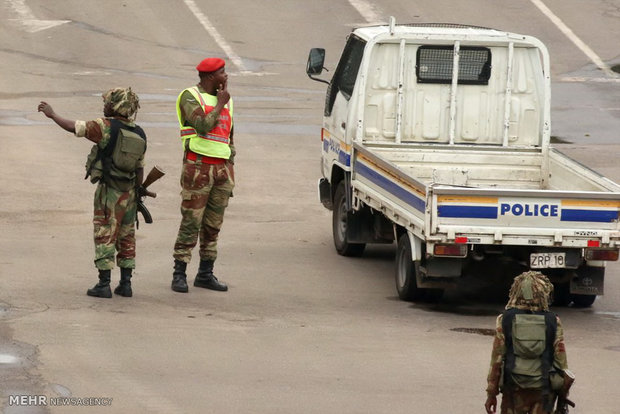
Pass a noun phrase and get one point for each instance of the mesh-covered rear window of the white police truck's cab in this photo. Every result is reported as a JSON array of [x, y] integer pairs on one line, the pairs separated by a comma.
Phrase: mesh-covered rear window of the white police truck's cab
[[434, 65]]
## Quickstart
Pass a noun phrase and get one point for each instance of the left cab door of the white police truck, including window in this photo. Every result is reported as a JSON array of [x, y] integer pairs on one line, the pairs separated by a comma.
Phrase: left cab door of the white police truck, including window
[[337, 102]]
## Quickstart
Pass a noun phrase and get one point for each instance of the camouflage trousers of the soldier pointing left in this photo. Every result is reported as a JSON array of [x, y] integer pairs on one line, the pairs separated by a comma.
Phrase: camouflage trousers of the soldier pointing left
[[114, 227]]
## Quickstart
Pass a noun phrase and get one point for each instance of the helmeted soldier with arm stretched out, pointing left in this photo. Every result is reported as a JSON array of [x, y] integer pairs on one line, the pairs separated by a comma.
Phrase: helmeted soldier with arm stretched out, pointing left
[[115, 195]]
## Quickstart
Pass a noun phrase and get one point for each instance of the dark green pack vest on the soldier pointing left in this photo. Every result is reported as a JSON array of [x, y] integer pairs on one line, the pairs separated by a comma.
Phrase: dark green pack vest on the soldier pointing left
[[116, 164]]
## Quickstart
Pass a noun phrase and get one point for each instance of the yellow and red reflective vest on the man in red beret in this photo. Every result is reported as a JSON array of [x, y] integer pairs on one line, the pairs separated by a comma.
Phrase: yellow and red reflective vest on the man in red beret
[[216, 143]]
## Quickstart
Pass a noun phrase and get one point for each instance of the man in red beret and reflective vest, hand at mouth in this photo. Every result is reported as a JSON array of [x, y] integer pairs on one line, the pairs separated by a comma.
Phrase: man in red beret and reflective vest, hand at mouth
[[205, 114]]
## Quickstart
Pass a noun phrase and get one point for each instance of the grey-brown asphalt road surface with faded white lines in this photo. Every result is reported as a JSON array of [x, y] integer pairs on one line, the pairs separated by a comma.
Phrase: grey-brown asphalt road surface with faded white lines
[[301, 330]]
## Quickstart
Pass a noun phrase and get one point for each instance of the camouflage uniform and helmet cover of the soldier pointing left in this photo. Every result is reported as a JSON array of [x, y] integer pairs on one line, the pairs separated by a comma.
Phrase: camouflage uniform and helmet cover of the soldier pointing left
[[114, 210]]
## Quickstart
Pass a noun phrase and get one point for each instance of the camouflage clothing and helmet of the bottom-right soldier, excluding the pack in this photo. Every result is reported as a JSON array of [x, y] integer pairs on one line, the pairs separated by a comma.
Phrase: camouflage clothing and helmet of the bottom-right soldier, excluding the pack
[[523, 400]]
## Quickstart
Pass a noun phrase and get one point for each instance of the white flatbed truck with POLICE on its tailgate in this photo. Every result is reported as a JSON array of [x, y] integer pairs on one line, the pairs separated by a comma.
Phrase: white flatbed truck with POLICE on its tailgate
[[437, 136]]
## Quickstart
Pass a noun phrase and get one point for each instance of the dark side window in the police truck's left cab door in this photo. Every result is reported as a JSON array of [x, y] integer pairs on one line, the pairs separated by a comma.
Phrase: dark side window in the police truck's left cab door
[[346, 72]]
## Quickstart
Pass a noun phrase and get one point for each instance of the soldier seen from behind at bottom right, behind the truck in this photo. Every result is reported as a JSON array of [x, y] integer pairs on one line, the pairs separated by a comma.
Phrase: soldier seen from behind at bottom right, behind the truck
[[529, 297]]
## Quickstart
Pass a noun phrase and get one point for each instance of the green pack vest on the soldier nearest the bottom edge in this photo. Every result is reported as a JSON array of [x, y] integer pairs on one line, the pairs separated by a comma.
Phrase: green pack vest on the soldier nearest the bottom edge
[[529, 348]]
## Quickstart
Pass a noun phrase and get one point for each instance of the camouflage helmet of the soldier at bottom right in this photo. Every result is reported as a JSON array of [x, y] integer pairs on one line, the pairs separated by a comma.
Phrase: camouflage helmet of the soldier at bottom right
[[530, 291]]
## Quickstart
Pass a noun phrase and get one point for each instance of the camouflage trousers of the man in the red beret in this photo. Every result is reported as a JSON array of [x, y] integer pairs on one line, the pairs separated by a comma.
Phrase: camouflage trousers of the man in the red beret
[[206, 189]]
